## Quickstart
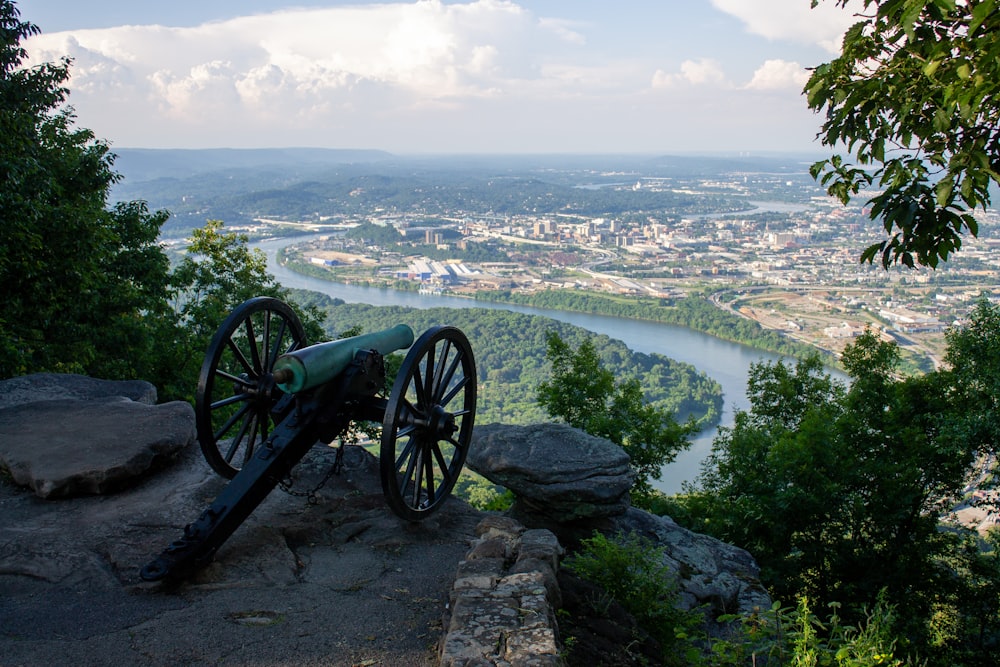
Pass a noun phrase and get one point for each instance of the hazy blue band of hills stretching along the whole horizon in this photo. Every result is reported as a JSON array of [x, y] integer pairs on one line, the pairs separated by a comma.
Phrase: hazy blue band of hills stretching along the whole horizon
[[239, 186]]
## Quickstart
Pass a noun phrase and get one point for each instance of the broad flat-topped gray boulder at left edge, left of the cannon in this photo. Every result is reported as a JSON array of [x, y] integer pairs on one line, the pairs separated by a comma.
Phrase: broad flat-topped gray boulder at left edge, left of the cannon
[[66, 435]]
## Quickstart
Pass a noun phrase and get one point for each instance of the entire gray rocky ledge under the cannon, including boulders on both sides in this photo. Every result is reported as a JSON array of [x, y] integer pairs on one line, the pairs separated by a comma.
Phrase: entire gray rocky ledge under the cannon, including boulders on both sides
[[101, 478]]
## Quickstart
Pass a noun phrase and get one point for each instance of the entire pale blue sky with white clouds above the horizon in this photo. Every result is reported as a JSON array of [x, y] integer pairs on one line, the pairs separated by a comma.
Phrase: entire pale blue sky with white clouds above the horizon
[[444, 76]]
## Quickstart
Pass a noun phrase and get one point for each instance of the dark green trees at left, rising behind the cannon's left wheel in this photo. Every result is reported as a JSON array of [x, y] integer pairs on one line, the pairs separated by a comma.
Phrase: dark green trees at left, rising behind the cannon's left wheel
[[87, 288]]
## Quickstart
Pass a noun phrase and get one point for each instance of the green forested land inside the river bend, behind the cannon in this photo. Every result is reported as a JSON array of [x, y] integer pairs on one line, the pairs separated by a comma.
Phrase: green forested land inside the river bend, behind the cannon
[[510, 356]]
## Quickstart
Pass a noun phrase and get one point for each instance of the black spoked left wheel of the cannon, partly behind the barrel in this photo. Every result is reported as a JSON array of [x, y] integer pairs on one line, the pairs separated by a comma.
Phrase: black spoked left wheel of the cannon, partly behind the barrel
[[237, 403]]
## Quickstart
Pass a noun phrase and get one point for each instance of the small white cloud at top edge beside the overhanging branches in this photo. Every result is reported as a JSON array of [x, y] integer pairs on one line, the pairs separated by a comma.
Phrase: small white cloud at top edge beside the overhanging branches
[[794, 20]]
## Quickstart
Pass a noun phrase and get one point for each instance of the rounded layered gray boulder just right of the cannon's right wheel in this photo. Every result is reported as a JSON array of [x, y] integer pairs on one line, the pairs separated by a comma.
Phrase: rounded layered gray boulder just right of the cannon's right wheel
[[555, 471]]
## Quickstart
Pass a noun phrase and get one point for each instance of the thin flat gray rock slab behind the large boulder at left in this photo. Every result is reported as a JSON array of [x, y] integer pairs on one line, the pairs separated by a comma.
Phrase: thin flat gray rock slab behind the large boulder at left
[[54, 386]]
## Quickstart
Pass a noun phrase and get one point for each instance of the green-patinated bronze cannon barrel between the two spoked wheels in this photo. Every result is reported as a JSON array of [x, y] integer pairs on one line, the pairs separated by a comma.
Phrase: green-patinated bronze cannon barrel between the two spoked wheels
[[314, 365]]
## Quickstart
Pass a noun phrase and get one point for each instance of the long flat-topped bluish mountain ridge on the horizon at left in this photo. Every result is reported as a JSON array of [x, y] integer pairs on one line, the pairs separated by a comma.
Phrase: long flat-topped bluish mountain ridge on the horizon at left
[[144, 164]]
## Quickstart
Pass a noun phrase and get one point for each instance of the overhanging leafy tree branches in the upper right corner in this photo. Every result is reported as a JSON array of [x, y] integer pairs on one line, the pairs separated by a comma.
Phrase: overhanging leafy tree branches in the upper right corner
[[914, 95]]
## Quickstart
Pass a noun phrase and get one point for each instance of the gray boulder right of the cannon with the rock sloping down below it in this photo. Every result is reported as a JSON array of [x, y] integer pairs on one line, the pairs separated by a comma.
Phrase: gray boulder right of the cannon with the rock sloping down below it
[[530, 461]]
